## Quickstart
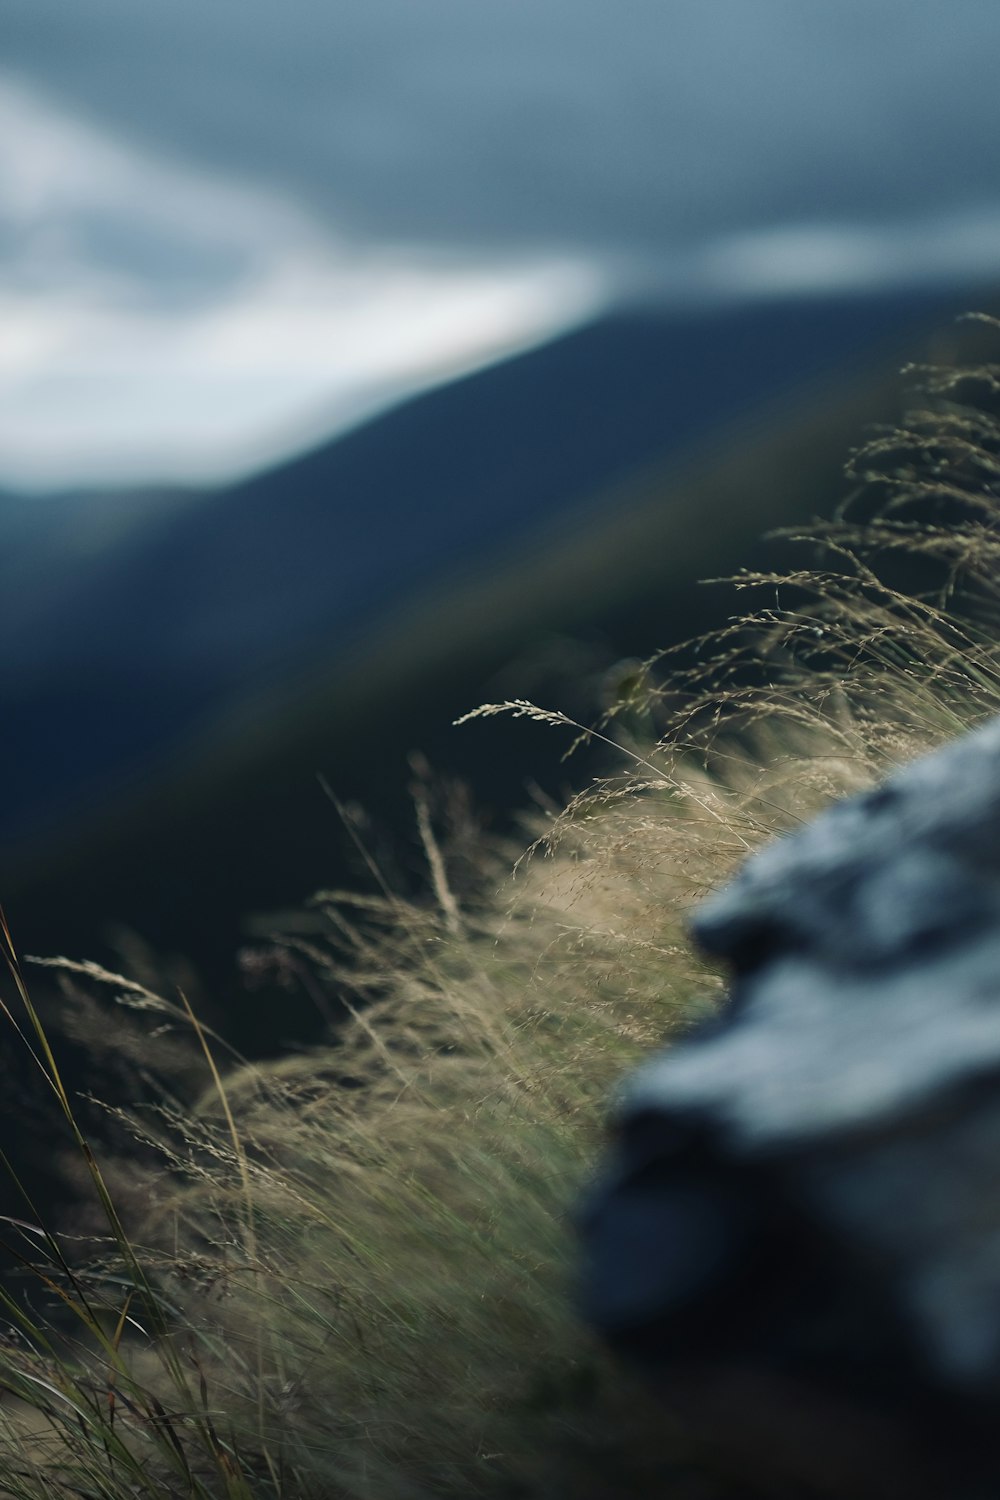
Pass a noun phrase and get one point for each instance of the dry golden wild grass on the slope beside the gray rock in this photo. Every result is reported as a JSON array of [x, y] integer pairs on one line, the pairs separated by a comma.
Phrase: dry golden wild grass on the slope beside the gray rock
[[350, 1273]]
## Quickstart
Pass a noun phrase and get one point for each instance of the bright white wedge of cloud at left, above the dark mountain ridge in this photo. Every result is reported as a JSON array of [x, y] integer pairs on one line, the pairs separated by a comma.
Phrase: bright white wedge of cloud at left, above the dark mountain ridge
[[158, 323]]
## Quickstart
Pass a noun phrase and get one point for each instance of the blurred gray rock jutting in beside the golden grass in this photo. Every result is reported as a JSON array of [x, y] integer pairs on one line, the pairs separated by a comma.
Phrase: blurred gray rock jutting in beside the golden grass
[[809, 1192]]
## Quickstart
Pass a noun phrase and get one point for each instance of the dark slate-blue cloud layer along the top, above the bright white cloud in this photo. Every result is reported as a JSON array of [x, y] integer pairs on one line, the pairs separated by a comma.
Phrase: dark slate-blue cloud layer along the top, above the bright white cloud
[[633, 127]]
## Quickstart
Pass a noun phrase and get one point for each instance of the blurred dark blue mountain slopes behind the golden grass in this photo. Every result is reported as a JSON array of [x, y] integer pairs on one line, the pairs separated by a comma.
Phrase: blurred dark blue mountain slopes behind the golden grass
[[173, 685]]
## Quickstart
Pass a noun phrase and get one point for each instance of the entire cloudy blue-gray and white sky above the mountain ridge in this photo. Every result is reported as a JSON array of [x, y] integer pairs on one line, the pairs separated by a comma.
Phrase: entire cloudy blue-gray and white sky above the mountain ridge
[[232, 230]]
